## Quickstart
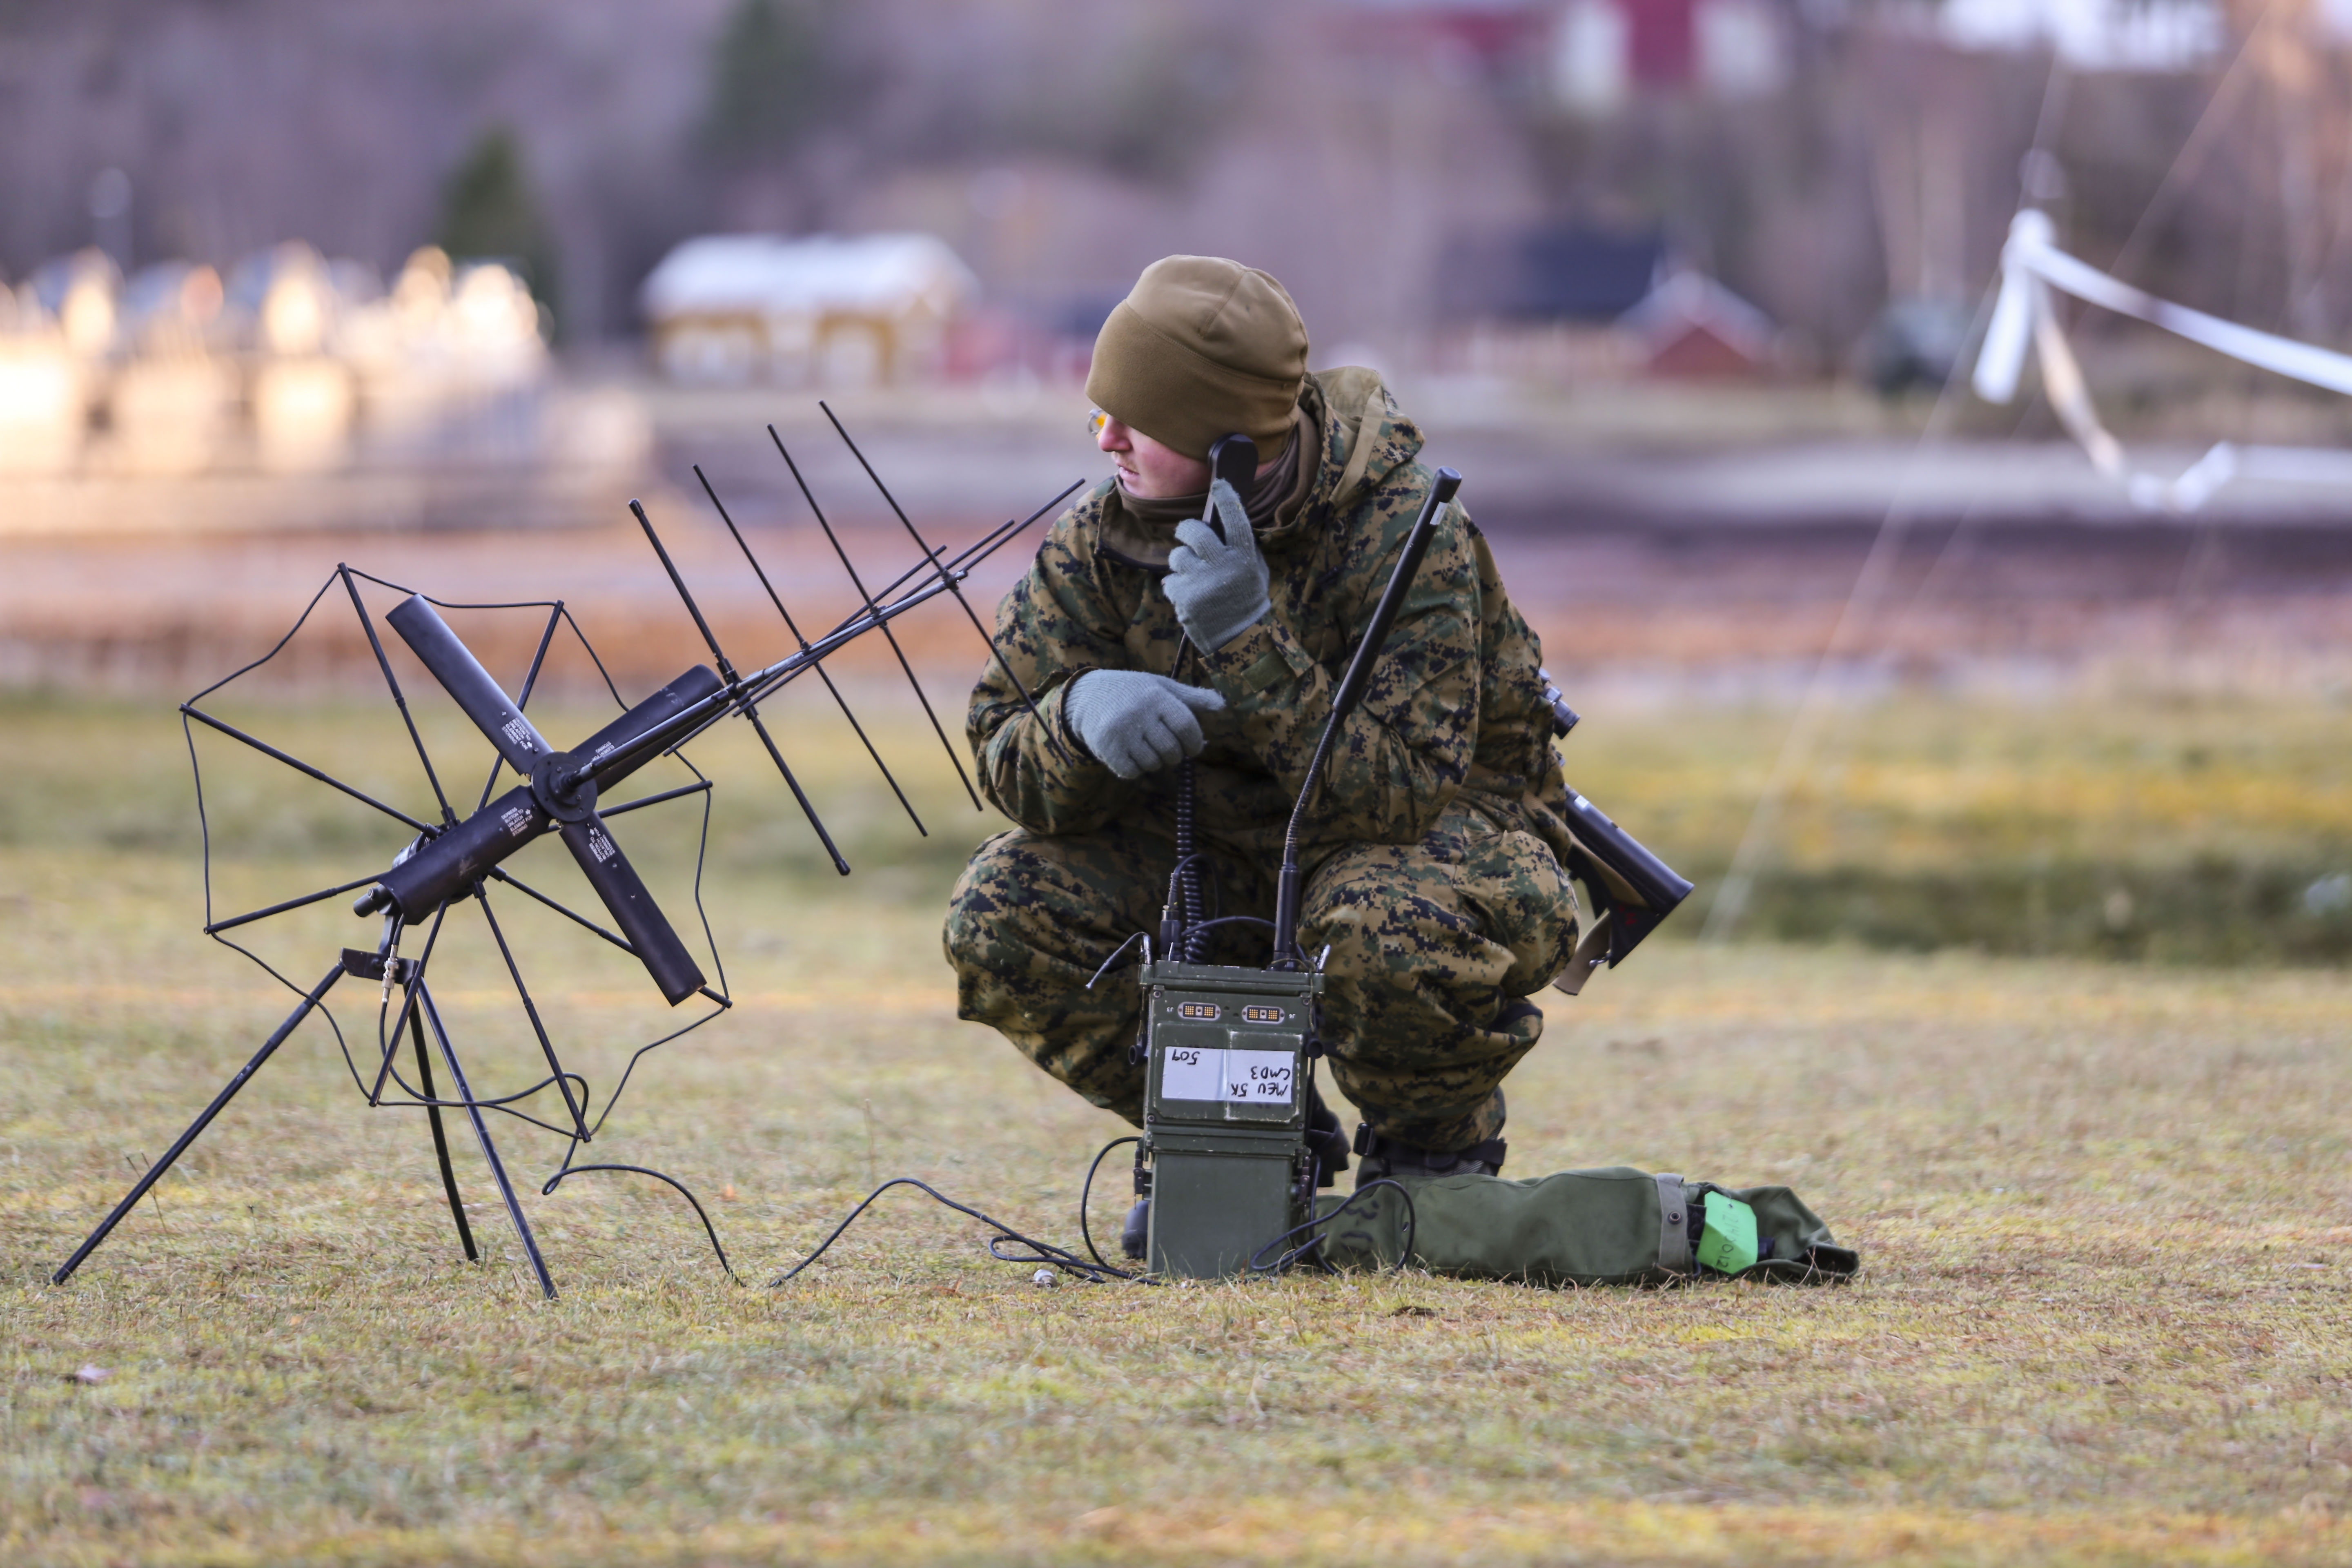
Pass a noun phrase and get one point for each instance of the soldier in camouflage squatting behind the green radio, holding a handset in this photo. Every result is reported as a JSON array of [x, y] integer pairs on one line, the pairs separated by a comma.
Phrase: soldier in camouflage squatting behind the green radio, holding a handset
[[1436, 845]]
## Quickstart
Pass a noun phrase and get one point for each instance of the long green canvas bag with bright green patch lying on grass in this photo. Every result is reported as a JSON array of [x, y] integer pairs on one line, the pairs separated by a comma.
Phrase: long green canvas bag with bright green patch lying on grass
[[1584, 1228]]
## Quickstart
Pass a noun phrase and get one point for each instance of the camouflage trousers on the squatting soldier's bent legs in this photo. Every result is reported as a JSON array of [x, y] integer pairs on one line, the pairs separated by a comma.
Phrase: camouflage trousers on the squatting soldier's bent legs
[[1436, 949]]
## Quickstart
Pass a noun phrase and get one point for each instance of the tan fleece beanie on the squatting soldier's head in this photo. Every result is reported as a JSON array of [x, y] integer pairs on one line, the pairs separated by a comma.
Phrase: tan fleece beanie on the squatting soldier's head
[[1201, 349]]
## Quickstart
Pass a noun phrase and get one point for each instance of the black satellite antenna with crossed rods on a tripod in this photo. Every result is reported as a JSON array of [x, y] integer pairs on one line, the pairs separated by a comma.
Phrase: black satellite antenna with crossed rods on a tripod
[[457, 859]]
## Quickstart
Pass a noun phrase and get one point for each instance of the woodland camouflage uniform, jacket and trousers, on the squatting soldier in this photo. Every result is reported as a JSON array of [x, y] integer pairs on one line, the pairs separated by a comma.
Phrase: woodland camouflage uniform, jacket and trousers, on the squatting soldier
[[1434, 847]]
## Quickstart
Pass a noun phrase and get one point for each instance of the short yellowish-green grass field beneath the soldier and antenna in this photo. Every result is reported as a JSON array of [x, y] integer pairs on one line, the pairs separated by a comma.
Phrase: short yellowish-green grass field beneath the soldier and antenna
[[2102, 1209]]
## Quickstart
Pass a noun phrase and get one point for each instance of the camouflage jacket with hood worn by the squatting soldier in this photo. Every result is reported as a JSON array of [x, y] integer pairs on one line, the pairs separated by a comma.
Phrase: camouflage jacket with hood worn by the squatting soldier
[[1455, 706]]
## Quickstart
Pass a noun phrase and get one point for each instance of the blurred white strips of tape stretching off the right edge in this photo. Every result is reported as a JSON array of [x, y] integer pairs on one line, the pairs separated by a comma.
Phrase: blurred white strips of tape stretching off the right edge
[[2024, 314]]
